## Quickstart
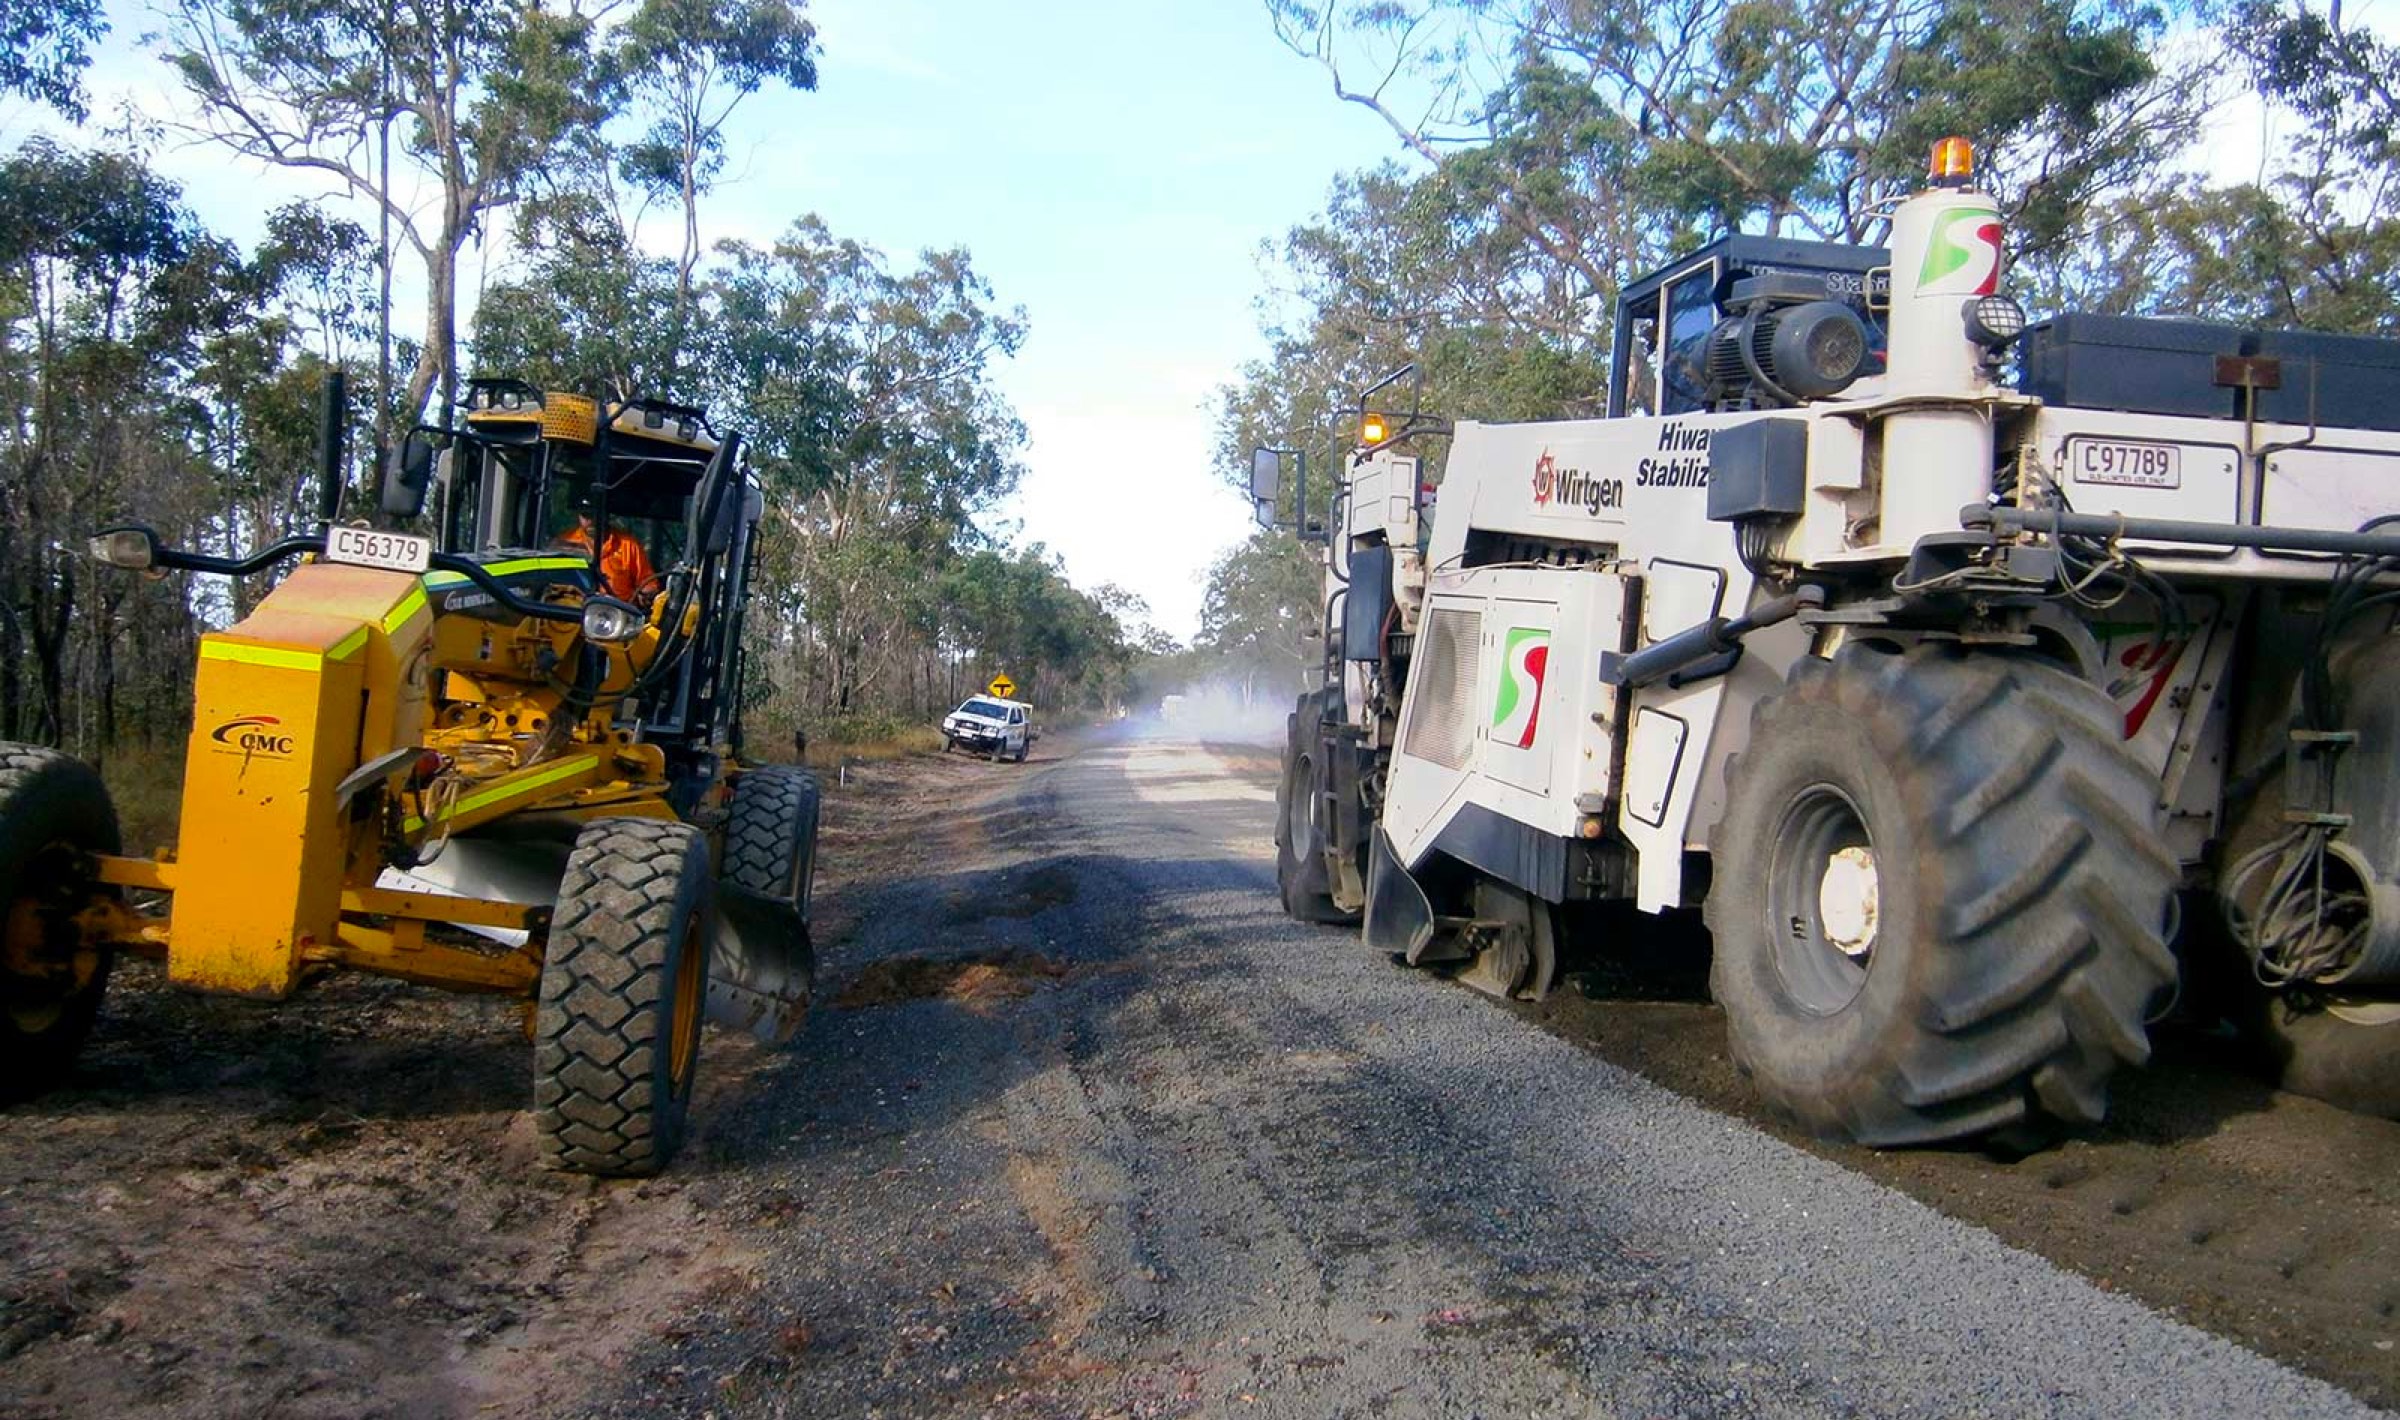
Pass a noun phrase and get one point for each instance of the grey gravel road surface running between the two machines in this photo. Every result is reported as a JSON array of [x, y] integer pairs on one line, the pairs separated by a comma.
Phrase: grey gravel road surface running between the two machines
[[1199, 1160]]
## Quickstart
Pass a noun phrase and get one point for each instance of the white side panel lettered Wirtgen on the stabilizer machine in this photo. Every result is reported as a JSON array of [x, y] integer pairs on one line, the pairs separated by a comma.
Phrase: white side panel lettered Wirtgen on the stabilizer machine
[[1626, 507]]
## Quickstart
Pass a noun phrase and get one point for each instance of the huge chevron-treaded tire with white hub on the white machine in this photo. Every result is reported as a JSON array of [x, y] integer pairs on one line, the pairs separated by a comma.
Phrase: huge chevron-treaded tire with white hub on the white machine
[[1938, 898]]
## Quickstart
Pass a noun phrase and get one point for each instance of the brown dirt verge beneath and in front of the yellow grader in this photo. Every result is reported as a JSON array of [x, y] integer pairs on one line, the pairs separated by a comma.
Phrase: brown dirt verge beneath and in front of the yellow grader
[[332, 1208]]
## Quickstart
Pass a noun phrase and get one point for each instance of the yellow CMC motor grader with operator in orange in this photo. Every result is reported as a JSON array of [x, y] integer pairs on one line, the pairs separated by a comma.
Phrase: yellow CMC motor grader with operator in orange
[[464, 762]]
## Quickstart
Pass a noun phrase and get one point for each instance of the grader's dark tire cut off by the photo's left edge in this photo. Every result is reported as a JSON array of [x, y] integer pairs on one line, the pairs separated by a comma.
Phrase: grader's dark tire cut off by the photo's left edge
[[54, 812]]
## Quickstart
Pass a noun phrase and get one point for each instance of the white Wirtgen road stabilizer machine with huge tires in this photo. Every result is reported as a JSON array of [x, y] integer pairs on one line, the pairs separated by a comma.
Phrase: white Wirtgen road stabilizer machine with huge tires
[[1986, 716]]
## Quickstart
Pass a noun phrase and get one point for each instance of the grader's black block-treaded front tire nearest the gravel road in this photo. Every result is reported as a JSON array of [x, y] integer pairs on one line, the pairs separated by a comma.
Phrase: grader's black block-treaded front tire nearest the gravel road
[[625, 982]]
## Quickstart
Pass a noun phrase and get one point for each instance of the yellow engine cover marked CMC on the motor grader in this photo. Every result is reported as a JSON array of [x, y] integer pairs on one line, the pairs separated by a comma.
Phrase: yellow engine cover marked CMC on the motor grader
[[320, 678]]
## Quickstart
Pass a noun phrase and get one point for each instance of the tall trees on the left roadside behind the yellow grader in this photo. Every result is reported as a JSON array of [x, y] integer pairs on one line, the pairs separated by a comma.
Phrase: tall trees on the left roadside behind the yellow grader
[[157, 371]]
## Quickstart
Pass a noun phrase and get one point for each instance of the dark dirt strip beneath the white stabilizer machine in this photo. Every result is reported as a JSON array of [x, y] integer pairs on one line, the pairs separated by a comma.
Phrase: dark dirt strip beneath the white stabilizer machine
[[2257, 1215]]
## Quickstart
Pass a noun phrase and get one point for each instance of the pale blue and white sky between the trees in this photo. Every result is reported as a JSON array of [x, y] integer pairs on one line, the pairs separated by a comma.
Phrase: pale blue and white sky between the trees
[[1110, 164]]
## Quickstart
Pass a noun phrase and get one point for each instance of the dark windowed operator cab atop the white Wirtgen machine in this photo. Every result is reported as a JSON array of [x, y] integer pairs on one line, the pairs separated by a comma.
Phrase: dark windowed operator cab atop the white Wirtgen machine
[[1667, 320]]
